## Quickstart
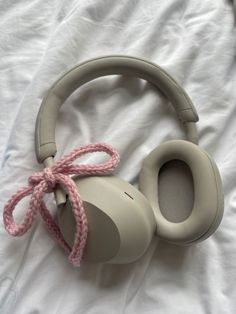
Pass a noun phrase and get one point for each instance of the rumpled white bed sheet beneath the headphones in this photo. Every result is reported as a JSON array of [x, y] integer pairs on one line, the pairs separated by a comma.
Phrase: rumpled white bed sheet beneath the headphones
[[195, 41]]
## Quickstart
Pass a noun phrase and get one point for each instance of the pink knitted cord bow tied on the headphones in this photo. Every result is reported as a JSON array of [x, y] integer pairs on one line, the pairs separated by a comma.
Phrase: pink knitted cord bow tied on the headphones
[[45, 182]]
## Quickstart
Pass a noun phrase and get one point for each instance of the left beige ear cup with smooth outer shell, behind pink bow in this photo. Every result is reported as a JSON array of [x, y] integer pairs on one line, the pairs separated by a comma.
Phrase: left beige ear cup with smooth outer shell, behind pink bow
[[121, 222]]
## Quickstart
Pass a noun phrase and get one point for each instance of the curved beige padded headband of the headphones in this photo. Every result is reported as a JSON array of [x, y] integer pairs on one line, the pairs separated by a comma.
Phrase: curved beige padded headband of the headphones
[[110, 65]]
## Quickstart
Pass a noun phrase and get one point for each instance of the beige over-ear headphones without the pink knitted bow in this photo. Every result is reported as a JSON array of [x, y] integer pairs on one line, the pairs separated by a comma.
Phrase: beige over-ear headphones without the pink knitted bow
[[121, 219]]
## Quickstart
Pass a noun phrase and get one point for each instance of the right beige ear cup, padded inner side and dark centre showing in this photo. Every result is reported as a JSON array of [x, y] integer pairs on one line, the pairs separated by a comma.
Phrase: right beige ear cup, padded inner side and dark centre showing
[[205, 196]]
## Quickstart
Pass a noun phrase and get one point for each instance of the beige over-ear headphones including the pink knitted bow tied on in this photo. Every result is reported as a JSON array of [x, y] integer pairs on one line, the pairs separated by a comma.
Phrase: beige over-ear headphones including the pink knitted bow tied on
[[122, 220]]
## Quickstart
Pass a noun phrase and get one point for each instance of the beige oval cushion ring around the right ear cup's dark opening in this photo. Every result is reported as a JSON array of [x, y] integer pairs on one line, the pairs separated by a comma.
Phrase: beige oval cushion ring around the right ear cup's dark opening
[[208, 206]]
